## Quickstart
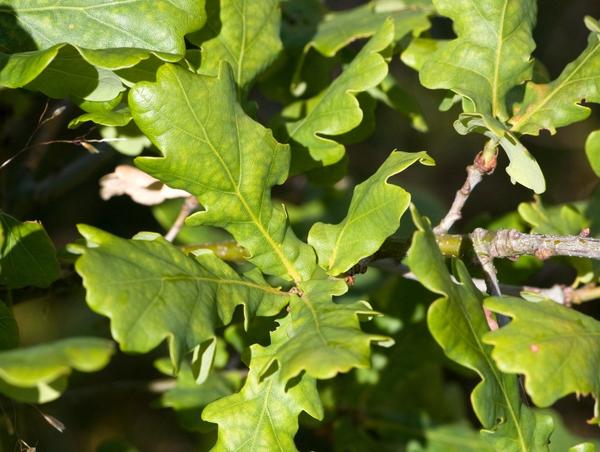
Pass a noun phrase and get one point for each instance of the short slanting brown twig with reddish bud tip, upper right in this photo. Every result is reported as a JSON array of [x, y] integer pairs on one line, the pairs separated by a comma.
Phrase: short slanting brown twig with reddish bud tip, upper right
[[482, 165]]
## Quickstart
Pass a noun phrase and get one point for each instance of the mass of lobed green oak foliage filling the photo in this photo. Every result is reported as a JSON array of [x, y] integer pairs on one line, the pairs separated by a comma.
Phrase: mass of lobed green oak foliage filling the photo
[[233, 102]]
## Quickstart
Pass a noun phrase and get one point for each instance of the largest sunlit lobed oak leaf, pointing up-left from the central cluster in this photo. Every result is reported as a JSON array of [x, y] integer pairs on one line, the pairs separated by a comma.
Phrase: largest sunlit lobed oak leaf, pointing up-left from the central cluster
[[230, 162]]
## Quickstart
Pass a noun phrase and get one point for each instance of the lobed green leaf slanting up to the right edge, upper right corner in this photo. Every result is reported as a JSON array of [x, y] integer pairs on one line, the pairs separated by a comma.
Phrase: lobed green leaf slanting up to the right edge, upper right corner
[[556, 104]]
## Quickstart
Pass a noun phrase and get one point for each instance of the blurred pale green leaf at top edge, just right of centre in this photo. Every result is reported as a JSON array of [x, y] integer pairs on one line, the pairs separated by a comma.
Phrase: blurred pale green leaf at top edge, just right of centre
[[338, 29]]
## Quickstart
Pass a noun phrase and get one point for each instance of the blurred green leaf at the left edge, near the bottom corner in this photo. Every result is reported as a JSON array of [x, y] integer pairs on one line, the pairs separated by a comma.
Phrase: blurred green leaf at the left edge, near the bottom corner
[[38, 374]]
